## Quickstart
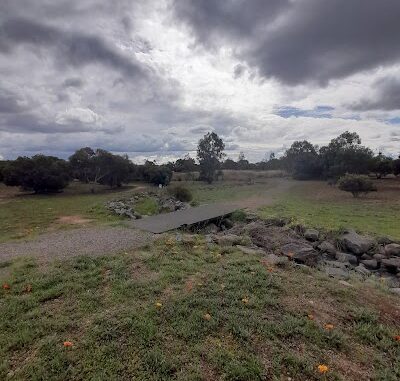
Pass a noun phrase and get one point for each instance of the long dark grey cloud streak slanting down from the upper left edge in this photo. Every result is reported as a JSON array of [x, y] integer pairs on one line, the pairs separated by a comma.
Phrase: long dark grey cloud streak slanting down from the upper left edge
[[70, 48]]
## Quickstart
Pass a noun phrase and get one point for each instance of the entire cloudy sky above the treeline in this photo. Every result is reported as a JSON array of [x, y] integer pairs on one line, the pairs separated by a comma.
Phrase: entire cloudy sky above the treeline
[[149, 78]]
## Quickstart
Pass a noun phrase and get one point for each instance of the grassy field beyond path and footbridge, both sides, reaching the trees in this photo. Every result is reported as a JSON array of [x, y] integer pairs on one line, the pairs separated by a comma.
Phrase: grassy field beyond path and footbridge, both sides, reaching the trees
[[311, 203]]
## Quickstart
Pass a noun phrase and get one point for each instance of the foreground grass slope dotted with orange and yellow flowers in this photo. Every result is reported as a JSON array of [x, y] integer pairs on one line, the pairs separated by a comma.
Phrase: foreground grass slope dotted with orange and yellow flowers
[[186, 311]]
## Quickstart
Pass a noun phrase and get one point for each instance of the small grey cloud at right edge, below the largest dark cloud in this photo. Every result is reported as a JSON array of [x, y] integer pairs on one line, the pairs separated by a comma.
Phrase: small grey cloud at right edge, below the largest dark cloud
[[386, 97]]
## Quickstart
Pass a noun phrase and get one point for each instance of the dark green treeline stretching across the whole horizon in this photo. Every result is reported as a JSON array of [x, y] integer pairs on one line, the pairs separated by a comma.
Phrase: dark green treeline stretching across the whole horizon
[[302, 160]]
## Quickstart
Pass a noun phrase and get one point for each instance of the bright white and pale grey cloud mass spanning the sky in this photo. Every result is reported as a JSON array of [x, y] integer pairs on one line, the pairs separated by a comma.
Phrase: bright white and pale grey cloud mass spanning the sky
[[185, 90]]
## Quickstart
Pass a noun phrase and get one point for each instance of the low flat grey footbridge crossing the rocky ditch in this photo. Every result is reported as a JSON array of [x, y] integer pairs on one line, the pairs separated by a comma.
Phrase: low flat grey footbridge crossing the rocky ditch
[[174, 220]]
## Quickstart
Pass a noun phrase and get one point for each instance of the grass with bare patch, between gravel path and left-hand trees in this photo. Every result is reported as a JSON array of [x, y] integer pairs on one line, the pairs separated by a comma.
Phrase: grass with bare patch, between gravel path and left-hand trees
[[25, 215]]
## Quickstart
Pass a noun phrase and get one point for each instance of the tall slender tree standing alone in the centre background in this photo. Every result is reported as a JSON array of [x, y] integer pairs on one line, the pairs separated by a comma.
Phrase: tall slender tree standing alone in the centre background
[[209, 153]]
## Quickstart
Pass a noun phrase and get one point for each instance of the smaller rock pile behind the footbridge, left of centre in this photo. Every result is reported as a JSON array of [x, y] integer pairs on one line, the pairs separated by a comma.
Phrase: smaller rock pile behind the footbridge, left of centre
[[127, 207]]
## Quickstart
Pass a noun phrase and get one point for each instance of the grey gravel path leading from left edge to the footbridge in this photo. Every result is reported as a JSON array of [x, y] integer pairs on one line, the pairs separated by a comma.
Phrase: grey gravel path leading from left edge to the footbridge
[[83, 241]]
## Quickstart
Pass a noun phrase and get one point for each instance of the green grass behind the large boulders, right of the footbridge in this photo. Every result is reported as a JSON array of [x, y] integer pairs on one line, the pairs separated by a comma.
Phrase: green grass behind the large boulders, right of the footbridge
[[318, 205]]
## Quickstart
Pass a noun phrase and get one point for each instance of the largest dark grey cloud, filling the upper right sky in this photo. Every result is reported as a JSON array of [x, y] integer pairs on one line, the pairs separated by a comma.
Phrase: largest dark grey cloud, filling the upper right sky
[[303, 40]]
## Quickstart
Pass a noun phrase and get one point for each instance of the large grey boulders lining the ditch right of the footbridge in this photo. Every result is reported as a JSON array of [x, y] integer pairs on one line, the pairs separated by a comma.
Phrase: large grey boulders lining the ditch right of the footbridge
[[348, 253]]
